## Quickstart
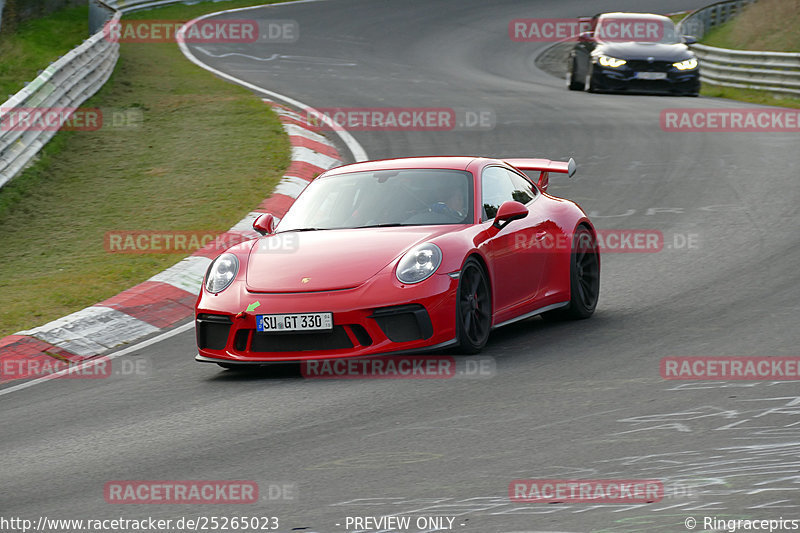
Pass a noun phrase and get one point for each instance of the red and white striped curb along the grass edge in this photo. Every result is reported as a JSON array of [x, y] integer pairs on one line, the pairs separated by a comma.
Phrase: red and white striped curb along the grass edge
[[168, 297]]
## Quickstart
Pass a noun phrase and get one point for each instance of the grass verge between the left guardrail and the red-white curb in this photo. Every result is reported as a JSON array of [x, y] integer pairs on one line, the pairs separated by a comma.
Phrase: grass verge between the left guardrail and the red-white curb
[[203, 154]]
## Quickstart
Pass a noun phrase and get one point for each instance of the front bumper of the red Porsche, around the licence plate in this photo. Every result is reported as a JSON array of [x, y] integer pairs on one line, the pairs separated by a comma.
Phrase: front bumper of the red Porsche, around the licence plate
[[368, 320]]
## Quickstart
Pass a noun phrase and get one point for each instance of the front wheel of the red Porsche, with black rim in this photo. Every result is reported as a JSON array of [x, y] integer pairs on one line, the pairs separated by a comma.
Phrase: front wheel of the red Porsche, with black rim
[[473, 308]]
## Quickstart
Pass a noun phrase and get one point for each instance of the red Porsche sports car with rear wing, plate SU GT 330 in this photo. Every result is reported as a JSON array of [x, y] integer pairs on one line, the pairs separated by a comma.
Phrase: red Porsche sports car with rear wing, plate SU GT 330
[[401, 255]]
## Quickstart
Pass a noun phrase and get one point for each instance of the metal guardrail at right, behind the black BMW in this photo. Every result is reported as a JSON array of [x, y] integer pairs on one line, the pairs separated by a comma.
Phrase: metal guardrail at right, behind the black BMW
[[777, 72]]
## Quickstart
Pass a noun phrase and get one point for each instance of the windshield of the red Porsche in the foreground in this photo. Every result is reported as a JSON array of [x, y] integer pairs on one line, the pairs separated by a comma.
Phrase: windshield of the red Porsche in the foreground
[[409, 197]]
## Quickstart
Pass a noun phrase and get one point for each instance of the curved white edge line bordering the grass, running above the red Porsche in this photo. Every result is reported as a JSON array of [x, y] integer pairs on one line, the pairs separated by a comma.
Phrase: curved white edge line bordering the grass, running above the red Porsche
[[352, 144]]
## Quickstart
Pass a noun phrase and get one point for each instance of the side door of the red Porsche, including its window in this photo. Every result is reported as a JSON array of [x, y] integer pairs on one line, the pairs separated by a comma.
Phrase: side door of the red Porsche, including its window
[[517, 264]]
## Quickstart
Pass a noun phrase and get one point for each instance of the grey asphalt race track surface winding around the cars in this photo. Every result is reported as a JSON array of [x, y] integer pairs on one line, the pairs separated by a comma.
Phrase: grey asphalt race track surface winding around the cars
[[581, 400]]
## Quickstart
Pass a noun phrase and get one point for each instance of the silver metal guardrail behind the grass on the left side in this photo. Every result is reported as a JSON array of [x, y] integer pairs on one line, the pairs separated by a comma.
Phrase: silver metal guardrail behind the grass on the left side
[[64, 85]]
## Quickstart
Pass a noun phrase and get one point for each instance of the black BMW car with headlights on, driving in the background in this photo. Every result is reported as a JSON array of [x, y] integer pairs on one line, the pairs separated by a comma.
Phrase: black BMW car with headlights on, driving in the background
[[636, 52]]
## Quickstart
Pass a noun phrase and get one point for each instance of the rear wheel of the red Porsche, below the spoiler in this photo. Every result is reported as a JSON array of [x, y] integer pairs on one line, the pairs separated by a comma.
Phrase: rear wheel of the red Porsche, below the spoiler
[[584, 279]]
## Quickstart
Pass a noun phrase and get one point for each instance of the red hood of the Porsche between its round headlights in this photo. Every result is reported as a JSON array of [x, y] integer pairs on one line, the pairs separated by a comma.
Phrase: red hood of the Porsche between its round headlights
[[327, 260]]
